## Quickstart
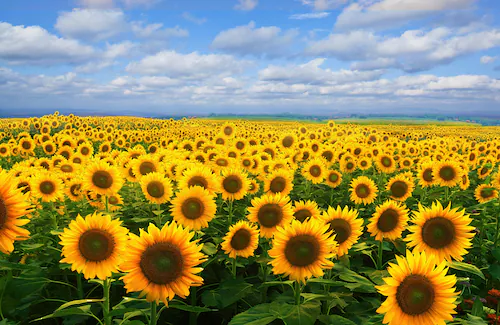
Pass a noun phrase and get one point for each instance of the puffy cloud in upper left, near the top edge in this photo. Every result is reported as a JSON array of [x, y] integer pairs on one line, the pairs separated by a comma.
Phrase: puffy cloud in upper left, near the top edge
[[91, 24]]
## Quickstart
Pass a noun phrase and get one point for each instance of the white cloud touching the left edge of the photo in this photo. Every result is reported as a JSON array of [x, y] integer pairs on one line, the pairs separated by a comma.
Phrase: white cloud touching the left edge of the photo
[[35, 45]]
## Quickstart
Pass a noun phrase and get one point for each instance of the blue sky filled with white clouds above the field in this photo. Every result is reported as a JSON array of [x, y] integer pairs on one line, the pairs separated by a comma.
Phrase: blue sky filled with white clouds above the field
[[194, 57]]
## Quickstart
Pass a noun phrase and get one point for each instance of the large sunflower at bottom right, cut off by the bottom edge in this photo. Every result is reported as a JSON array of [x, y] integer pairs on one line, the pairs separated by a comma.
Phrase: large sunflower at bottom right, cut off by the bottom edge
[[418, 291]]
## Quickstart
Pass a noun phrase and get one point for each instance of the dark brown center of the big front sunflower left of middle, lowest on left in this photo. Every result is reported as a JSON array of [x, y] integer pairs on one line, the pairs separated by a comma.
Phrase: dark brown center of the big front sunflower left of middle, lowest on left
[[162, 263]]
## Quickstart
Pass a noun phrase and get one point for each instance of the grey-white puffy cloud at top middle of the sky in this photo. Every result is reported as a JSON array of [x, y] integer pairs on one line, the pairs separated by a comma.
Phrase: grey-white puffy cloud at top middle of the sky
[[248, 39]]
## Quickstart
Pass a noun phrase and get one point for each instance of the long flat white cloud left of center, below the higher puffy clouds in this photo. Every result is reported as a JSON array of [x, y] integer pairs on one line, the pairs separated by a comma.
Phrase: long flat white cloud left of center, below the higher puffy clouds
[[192, 65]]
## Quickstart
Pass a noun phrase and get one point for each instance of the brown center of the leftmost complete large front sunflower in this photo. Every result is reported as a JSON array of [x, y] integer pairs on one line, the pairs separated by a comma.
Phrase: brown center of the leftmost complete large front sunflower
[[96, 245]]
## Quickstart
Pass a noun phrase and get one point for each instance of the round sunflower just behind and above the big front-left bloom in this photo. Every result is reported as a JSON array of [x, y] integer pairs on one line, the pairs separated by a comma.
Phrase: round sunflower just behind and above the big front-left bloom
[[193, 207]]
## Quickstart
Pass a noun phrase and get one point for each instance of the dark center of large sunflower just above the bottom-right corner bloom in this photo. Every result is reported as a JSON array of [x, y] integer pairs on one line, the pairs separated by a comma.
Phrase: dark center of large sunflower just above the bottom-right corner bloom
[[438, 232]]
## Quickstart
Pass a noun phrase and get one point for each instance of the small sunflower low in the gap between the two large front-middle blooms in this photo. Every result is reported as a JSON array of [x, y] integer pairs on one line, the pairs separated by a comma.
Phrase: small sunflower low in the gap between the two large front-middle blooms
[[241, 240]]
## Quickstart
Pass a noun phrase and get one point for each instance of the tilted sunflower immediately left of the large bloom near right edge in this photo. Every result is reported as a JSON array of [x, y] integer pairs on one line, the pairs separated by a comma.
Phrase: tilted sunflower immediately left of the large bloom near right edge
[[388, 221]]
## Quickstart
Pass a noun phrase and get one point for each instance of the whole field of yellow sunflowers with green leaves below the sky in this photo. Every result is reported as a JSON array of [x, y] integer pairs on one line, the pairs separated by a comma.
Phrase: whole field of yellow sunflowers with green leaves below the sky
[[126, 221]]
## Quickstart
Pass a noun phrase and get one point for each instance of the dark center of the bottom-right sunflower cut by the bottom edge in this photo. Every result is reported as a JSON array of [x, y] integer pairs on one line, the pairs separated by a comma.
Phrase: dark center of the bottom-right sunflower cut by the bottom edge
[[415, 295]]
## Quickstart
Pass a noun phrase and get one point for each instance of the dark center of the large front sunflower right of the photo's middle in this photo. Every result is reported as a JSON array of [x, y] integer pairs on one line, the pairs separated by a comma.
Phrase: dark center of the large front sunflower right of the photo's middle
[[302, 250]]
